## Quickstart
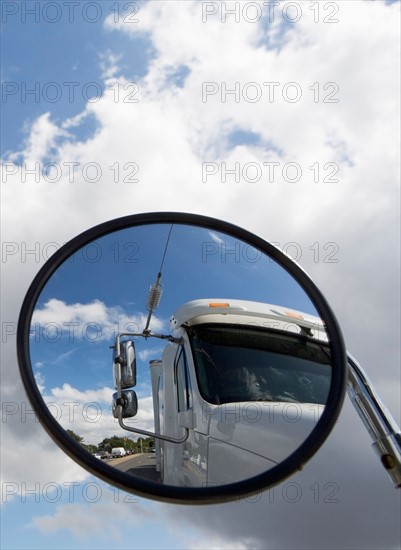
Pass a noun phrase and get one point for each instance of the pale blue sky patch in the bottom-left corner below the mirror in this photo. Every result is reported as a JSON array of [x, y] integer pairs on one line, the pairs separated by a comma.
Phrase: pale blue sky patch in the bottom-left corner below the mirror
[[18, 518]]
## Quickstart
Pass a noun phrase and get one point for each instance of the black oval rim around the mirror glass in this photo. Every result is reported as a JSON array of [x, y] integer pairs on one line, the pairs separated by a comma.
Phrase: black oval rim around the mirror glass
[[152, 490]]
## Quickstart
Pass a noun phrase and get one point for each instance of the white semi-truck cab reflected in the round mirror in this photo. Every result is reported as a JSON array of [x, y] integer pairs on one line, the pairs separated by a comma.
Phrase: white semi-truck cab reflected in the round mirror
[[239, 387]]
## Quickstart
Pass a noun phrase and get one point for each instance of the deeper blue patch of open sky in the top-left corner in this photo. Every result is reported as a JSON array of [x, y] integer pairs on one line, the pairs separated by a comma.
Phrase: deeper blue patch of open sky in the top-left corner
[[58, 54]]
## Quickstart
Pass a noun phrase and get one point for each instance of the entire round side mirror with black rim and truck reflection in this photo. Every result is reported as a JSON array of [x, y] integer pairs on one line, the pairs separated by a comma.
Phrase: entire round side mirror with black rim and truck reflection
[[227, 368]]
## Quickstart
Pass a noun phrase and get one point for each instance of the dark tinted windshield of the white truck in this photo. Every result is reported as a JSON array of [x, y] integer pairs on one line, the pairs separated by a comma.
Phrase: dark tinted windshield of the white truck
[[235, 363]]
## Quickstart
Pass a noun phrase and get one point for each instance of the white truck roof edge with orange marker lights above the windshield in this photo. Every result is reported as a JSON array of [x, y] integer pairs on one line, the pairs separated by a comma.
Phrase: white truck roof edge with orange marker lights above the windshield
[[232, 311]]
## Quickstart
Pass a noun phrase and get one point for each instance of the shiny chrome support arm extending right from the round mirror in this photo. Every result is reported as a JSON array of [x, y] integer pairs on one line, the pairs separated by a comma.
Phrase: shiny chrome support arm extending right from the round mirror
[[377, 420]]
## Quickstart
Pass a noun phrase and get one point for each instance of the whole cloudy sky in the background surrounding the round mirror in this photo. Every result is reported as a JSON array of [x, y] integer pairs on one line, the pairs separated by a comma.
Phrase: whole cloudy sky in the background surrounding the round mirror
[[282, 119]]
